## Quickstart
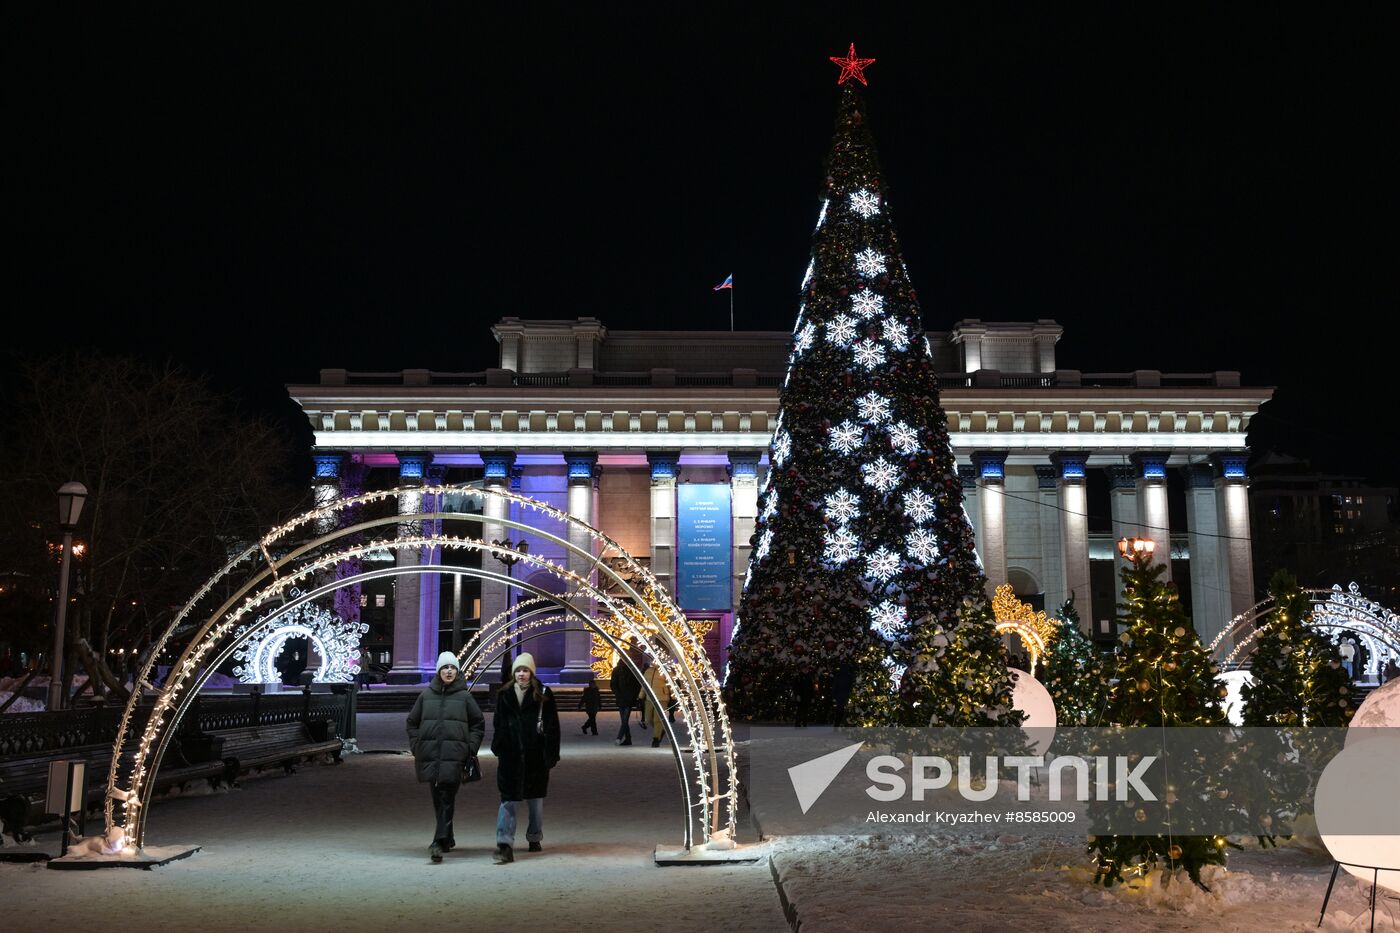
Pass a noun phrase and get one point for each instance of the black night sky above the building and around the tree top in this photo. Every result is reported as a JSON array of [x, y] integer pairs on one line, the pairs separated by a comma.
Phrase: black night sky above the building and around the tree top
[[260, 193]]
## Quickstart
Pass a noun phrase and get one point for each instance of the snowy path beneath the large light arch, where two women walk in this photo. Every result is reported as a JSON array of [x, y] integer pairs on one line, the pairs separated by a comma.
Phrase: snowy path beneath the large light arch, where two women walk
[[345, 848]]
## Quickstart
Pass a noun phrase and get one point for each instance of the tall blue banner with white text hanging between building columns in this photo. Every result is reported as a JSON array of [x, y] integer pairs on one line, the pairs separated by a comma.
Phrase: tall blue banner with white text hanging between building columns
[[703, 547]]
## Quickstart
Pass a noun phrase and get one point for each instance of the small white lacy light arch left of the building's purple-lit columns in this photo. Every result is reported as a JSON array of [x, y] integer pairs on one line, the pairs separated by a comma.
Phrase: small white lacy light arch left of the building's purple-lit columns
[[337, 642]]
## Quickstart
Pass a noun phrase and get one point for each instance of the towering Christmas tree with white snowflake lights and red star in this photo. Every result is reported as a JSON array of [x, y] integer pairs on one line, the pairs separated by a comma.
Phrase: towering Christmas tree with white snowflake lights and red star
[[863, 554]]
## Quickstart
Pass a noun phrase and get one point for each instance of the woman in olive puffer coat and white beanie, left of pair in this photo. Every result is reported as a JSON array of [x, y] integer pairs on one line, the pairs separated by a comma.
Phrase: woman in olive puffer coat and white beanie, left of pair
[[446, 729]]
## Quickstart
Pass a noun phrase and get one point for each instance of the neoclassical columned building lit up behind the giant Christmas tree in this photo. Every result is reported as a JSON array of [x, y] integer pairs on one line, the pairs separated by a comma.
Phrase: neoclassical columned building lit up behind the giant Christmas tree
[[660, 439]]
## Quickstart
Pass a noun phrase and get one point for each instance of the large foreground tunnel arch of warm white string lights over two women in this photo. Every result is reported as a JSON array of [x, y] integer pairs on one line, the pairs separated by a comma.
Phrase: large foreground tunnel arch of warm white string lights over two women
[[288, 571]]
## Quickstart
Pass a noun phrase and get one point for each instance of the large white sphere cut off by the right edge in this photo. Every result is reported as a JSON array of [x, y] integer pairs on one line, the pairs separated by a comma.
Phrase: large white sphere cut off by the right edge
[[1359, 810]]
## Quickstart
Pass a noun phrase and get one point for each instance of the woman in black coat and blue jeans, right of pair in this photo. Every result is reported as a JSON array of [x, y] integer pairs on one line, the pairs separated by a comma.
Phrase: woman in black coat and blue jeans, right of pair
[[526, 743]]
